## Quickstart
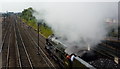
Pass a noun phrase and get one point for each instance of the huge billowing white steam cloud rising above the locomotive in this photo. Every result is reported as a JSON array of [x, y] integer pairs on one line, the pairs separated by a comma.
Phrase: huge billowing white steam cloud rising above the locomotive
[[78, 23]]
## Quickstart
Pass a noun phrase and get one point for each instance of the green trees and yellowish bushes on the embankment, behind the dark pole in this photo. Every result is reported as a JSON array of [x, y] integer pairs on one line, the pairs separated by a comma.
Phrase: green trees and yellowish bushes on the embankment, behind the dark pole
[[27, 17]]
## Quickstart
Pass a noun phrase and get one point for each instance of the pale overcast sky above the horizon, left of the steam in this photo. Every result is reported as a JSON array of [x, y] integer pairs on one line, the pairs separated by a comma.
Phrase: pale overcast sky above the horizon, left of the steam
[[19, 5]]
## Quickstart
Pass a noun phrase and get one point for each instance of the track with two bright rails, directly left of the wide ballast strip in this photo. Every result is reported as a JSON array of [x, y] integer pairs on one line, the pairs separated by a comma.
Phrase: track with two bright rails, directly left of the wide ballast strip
[[24, 59]]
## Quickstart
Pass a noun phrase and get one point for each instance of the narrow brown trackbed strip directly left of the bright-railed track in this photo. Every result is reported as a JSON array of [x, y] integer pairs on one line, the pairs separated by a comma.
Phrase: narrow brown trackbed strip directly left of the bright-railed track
[[11, 56]]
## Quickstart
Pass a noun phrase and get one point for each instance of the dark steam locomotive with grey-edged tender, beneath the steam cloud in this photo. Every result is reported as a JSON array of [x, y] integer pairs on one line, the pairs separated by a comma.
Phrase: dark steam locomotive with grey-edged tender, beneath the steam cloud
[[56, 50]]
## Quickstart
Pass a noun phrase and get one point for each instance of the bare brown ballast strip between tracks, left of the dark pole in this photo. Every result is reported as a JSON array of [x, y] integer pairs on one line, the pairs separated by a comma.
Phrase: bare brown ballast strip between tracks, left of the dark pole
[[30, 47]]
